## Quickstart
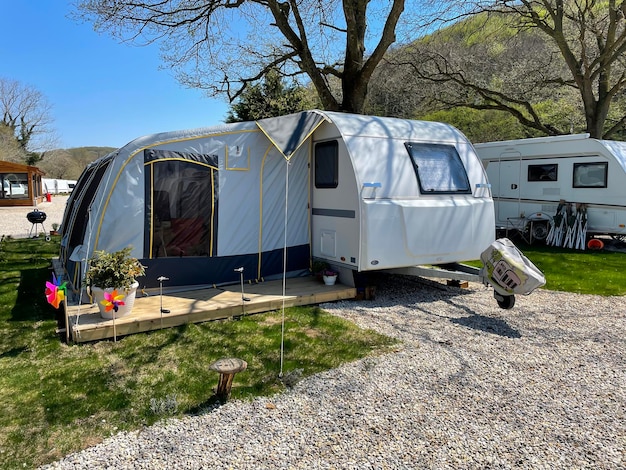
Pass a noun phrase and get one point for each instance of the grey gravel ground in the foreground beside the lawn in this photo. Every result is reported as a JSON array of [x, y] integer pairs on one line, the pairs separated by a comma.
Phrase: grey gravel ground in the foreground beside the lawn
[[471, 386]]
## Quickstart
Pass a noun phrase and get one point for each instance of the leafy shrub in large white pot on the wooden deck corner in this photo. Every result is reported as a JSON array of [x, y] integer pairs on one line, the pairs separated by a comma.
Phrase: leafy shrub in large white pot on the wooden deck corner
[[112, 280]]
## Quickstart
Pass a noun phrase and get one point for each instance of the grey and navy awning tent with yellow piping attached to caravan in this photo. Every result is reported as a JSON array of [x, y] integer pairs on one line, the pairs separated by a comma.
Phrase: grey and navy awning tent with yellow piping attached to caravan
[[194, 204]]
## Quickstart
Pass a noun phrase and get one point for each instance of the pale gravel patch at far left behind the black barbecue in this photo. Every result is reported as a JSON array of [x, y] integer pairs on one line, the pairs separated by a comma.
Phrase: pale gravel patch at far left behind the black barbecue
[[13, 220]]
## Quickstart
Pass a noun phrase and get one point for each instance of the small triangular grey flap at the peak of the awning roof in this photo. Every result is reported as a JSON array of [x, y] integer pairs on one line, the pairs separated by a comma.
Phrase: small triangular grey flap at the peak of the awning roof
[[288, 133]]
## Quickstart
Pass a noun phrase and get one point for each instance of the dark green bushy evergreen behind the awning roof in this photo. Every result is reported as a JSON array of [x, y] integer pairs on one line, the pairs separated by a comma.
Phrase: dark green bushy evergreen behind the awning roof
[[271, 98]]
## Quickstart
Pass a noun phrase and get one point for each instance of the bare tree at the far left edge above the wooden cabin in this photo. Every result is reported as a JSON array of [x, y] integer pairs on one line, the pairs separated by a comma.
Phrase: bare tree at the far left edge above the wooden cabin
[[25, 122]]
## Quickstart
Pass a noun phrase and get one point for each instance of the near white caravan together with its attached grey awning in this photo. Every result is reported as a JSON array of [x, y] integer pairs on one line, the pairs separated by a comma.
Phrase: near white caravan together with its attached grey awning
[[364, 193]]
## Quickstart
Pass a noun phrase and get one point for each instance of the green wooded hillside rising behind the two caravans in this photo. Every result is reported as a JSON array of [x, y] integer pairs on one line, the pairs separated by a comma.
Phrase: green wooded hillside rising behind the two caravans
[[527, 68]]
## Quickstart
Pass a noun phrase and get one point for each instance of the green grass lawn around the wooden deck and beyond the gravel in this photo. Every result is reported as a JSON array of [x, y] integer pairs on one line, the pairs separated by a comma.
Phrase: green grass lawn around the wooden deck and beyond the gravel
[[57, 398]]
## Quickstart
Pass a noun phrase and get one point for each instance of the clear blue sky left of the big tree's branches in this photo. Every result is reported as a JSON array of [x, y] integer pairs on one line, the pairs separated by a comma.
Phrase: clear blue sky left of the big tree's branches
[[102, 93]]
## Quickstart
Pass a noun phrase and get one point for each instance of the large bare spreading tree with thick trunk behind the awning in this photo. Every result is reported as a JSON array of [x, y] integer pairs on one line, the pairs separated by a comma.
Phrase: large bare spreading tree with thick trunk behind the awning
[[224, 46]]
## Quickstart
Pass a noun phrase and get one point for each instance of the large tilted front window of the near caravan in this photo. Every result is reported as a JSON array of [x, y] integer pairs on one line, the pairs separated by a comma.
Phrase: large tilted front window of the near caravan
[[438, 168]]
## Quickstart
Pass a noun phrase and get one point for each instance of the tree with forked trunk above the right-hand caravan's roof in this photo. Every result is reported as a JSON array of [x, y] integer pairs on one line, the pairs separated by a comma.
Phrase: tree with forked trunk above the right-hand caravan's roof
[[591, 39]]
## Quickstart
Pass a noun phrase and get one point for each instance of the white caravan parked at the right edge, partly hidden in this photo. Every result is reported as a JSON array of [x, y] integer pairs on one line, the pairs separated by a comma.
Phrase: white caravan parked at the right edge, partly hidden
[[529, 177]]
